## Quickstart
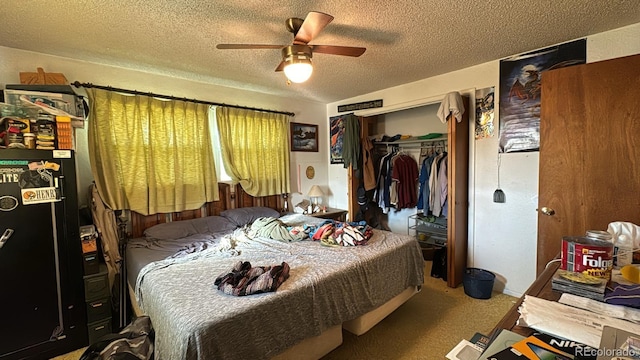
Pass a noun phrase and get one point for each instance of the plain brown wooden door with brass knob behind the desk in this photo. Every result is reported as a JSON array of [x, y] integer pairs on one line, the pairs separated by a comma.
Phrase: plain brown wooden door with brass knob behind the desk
[[589, 151]]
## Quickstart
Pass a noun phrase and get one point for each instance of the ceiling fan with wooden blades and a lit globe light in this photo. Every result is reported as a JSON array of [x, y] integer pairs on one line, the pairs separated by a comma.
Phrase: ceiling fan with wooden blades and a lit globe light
[[296, 58]]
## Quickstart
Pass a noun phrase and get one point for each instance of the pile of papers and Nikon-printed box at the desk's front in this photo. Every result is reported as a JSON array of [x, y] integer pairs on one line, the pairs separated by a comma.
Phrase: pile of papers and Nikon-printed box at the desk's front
[[573, 328]]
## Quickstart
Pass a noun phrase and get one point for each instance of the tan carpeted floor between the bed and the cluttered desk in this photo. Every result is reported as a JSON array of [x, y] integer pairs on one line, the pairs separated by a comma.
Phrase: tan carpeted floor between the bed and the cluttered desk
[[426, 327]]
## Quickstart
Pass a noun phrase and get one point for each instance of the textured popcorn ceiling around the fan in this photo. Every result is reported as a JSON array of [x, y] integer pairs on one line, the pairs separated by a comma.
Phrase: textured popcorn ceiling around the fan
[[406, 40]]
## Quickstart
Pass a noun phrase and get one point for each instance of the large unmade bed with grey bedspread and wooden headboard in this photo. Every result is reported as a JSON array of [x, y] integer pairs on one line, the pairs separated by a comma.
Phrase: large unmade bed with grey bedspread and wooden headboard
[[172, 267]]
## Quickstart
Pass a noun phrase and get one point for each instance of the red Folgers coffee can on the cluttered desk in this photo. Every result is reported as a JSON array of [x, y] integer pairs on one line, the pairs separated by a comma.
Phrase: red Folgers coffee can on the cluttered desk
[[591, 254]]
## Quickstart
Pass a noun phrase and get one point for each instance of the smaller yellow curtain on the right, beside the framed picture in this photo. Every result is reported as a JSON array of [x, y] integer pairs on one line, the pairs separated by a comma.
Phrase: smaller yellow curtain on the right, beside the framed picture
[[255, 149]]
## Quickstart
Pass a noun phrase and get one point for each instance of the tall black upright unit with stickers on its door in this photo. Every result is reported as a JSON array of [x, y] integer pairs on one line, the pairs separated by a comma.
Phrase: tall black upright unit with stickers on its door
[[42, 307]]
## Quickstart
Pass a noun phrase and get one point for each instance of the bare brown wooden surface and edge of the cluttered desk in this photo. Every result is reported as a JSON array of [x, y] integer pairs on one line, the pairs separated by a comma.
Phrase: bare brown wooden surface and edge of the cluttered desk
[[541, 288]]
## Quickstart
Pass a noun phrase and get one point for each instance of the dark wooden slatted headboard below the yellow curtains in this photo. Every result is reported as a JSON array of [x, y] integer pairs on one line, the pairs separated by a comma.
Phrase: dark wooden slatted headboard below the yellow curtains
[[231, 197]]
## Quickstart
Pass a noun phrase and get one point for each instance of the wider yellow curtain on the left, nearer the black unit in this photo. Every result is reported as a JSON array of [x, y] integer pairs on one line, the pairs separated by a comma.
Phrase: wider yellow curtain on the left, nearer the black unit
[[150, 155]]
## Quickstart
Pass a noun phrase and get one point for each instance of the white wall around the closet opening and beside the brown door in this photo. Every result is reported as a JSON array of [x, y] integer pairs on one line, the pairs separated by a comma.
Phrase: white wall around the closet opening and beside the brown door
[[502, 236]]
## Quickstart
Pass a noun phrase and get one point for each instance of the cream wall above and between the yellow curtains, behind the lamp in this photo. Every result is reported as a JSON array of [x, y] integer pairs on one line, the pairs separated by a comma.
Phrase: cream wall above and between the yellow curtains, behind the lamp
[[13, 61]]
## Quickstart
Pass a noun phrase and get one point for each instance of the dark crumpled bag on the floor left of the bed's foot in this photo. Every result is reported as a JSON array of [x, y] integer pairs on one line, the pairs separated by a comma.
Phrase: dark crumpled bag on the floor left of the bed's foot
[[134, 342]]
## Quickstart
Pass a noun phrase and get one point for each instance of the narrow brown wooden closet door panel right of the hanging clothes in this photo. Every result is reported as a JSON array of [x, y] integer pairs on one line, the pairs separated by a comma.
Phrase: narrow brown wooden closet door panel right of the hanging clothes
[[458, 178]]
